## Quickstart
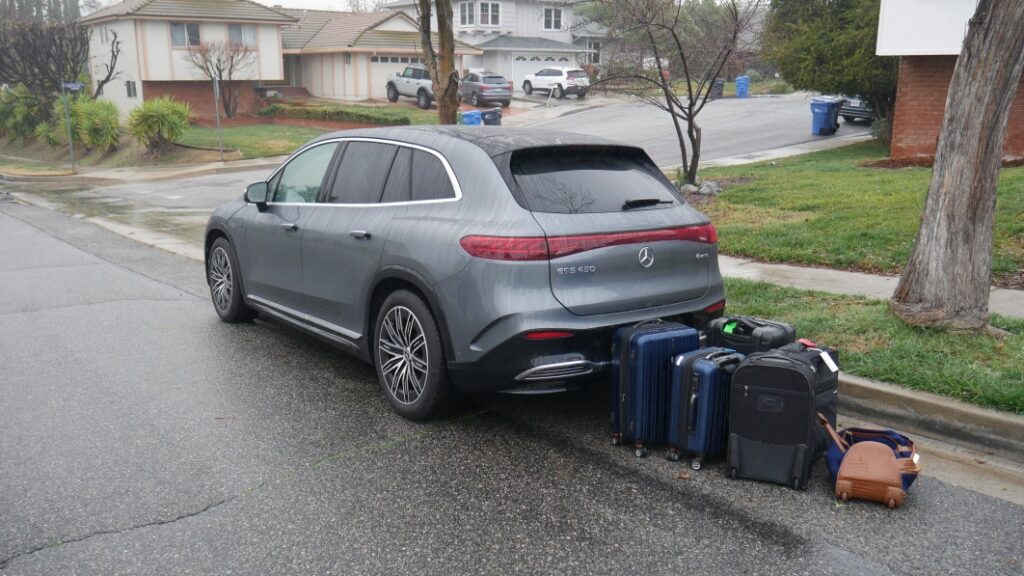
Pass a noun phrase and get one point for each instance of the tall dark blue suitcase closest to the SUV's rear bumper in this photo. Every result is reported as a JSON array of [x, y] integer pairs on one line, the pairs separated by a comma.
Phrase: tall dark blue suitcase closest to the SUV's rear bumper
[[642, 375]]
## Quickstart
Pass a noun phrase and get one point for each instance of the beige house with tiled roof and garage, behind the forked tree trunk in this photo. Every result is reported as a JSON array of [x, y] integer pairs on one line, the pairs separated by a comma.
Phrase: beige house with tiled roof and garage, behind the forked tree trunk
[[349, 56]]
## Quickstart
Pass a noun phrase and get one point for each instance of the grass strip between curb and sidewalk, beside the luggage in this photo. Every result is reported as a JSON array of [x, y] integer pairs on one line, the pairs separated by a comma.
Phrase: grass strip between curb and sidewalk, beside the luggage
[[874, 344]]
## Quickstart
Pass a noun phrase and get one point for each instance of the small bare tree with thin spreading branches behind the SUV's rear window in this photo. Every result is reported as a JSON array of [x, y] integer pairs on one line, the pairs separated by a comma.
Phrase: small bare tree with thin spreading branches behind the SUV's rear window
[[680, 49]]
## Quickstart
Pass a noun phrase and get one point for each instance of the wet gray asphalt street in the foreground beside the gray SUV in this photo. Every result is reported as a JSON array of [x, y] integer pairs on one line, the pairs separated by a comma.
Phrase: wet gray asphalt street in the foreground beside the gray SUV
[[140, 435]]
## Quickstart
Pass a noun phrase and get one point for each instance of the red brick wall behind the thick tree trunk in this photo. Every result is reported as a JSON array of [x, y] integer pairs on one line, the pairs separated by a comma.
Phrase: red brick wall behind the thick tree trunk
[[921, 101]]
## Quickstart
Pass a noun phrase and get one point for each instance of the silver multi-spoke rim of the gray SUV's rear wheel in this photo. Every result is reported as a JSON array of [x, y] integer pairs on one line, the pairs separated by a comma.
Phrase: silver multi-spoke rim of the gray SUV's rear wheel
[[402, 352]]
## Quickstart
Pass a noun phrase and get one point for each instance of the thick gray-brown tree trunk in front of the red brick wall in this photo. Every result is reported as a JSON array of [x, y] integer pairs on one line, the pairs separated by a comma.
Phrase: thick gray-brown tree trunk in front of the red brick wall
[[947, 281]]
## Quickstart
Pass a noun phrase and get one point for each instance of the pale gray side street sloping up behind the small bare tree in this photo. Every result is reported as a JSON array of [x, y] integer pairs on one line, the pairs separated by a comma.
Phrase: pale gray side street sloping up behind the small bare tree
[[731, 128]]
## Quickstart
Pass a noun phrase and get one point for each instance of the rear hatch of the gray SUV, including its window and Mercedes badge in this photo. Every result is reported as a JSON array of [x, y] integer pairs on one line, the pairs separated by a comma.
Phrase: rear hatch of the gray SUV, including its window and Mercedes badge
[[620, 237]]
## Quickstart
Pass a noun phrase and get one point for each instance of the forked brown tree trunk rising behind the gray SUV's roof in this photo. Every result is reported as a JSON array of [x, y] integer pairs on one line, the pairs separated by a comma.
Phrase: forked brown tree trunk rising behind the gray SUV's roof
[[441, 63]]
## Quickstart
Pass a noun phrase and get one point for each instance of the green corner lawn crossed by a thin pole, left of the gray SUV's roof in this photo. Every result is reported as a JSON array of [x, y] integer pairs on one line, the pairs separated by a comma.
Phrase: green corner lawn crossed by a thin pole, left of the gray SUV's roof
[[257, 141]]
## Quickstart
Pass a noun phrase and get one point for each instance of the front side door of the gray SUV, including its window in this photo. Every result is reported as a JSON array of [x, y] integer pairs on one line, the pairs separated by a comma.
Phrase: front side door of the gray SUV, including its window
[[274, 237]]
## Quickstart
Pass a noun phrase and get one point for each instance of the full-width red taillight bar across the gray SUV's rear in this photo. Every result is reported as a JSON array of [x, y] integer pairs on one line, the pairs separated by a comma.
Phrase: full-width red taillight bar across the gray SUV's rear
[[537, 249]]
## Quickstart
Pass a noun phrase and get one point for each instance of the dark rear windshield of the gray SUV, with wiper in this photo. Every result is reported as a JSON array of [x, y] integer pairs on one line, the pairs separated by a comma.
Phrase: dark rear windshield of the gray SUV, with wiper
[[580, 181]]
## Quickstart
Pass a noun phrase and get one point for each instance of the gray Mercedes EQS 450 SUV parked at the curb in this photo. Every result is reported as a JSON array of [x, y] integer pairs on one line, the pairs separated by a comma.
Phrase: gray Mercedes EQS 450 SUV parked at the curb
[[464, 259]]
